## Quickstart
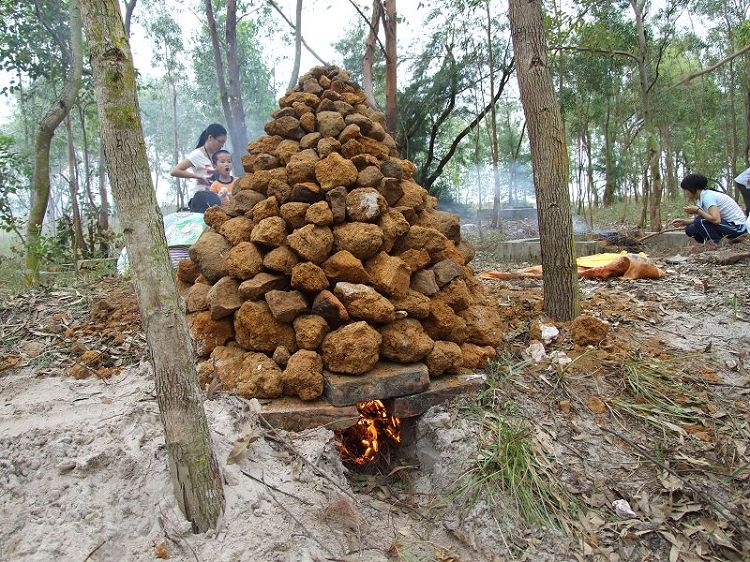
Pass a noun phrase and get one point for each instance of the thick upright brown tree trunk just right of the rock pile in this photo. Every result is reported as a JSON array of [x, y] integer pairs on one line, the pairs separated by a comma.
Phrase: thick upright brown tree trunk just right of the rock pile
[[549, 158]]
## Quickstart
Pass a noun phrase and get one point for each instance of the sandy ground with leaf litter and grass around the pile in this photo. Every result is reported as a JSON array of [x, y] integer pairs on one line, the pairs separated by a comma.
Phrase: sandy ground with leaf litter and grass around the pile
[[633, 447]]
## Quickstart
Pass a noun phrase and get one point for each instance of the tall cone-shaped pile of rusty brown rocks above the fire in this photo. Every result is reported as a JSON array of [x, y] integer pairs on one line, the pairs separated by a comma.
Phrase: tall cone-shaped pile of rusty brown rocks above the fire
[[331, 264]]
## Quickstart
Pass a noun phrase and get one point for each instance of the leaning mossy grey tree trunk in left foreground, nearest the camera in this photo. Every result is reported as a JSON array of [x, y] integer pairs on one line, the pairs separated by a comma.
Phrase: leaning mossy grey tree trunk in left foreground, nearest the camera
[[193, 468]]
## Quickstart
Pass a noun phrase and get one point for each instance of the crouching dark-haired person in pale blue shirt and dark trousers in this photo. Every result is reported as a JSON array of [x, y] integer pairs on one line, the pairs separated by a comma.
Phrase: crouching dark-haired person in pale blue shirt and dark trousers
[[717, 215]]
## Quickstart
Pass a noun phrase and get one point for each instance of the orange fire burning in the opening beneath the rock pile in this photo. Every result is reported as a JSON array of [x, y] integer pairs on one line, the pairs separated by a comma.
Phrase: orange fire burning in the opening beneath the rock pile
[[360, 443]]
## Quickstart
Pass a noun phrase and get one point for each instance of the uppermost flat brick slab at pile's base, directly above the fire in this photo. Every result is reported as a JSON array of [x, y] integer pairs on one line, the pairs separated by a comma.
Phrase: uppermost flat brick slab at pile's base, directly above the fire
[[385, 380]]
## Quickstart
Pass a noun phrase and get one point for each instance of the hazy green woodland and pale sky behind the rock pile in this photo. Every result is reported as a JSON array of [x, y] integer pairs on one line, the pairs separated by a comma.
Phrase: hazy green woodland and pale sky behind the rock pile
[[638, 106]]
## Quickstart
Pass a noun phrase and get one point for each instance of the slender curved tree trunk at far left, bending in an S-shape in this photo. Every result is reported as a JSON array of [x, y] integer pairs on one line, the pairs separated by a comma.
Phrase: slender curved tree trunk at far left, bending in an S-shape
[[40, 182]]
